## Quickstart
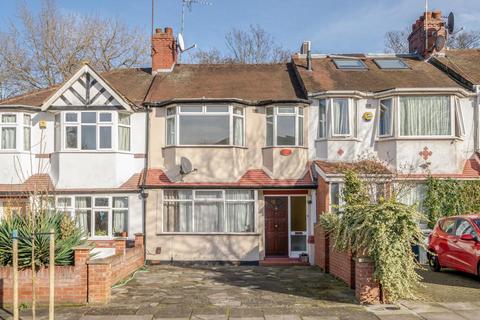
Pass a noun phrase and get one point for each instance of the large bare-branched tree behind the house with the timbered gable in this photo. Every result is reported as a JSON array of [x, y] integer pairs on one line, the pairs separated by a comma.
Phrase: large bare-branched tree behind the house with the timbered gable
[[46, 48]]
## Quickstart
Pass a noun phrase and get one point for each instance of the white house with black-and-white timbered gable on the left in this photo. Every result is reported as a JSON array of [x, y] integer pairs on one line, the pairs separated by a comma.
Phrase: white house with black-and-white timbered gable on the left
[[83, 144]]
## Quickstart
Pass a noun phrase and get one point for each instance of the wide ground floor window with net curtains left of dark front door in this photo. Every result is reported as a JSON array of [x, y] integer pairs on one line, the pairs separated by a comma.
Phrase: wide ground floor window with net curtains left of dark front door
[[209, 211]]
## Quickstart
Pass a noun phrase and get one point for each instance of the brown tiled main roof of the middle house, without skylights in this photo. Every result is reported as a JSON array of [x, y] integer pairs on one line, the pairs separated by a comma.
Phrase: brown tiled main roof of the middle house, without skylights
[[252, 83]]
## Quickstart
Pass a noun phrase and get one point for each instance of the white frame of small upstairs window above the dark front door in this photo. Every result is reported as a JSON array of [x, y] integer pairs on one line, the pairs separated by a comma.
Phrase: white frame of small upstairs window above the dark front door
[[299, 116]]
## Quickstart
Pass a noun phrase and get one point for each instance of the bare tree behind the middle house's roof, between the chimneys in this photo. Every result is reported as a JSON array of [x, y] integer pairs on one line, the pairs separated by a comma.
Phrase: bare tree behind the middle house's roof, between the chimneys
[[252, 46]]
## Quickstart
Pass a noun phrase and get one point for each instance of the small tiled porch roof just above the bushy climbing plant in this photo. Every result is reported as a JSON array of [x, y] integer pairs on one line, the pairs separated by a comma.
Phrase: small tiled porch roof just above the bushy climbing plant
[[363, 166]]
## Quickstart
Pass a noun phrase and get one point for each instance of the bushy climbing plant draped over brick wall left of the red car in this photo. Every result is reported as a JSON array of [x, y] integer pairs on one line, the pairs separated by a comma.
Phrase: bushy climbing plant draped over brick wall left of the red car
[[384, 230]]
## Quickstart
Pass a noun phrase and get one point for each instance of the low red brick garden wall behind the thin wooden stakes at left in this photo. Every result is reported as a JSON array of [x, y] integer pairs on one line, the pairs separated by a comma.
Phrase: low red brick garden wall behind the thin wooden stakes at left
[[87, 281]]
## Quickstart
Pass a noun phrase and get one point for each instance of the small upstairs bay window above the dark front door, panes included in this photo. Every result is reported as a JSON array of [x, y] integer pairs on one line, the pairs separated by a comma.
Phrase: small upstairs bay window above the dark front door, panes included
[[284, 126]]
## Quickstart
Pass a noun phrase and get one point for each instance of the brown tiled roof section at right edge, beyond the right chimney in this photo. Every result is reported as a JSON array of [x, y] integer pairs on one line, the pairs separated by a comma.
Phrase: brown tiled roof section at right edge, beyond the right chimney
[[464, 62]]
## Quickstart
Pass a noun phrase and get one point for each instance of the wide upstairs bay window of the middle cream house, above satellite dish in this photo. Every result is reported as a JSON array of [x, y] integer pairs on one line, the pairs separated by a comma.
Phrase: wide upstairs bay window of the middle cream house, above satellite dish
[[205, 125]]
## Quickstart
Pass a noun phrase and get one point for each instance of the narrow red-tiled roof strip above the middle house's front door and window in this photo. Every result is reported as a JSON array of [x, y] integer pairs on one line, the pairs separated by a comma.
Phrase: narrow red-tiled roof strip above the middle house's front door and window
[[255, 178]]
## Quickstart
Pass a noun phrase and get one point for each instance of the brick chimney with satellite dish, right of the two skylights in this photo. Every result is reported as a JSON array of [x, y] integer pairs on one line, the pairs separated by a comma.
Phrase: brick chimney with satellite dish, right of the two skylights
[[432, 29]]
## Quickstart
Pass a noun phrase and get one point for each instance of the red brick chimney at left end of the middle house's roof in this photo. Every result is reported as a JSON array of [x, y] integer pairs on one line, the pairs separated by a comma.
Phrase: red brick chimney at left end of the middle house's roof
[[164, 50]]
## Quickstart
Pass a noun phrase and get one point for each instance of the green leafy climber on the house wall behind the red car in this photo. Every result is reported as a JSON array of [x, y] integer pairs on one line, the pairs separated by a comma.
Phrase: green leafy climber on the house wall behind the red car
[[448, 197]]
